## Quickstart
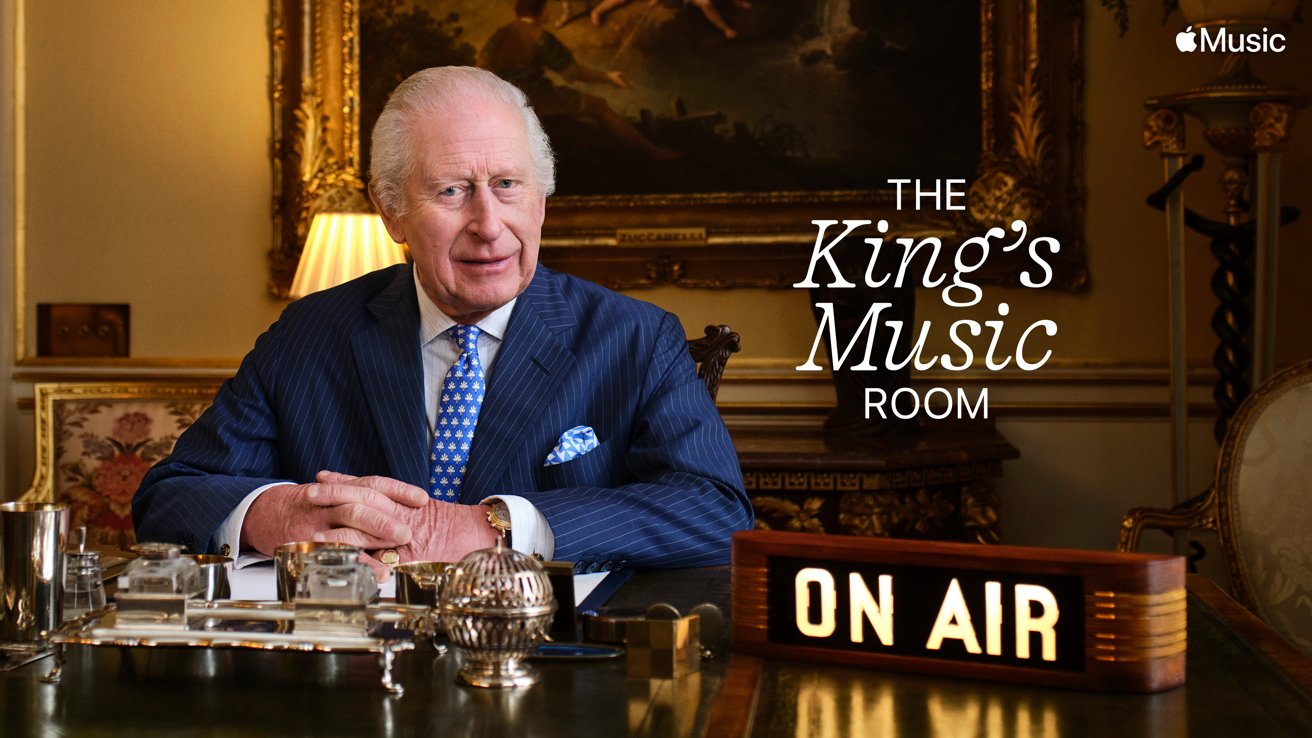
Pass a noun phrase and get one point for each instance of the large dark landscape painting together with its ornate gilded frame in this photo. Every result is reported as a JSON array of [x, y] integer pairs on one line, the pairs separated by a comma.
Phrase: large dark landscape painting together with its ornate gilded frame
[[699, 140]]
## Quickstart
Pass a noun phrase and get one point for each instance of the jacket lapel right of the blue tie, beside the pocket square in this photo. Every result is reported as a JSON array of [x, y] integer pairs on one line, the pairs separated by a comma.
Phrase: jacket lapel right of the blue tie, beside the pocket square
[[531, 364]]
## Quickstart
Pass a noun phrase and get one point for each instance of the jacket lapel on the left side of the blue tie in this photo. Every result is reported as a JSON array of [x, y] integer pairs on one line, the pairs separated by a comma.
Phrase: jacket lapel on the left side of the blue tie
[[388, 357]]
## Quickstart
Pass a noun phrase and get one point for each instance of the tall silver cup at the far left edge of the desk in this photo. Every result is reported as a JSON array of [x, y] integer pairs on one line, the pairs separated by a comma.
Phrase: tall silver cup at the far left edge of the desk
[[32, 569]]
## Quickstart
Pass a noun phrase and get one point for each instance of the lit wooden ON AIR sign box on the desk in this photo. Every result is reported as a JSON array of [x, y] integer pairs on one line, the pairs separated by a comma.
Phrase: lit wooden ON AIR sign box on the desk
[[1087, 620]]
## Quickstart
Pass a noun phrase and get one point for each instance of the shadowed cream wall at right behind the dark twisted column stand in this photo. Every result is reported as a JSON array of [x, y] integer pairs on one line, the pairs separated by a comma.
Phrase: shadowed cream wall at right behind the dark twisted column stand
[[1126, 312]]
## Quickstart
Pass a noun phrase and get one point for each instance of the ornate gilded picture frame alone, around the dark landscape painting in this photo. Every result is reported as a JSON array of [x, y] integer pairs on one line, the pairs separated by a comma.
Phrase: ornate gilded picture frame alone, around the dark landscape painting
[[1029, 167]]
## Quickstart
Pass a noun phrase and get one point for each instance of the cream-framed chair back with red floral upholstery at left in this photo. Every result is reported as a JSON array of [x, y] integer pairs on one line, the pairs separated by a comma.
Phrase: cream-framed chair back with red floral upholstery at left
[[95, 442]]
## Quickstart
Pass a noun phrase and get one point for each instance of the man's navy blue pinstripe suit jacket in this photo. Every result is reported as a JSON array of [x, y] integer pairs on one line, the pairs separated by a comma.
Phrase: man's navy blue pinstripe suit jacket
[[337, 384]]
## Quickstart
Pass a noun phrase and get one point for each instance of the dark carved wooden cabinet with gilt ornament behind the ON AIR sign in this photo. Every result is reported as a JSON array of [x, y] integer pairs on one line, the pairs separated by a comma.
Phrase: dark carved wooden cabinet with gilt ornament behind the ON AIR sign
[[935, 484]]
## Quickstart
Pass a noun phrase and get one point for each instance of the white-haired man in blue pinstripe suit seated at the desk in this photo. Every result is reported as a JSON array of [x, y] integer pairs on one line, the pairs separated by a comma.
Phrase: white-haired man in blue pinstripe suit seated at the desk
[[423, 412]]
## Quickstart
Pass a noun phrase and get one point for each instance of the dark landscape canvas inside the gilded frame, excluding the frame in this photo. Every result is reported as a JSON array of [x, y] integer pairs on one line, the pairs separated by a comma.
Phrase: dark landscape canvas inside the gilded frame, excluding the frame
[[731, 97]]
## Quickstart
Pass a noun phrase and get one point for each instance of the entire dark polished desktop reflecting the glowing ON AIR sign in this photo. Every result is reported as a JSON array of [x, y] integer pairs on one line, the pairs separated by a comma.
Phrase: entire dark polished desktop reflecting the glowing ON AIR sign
[[1234, 689]]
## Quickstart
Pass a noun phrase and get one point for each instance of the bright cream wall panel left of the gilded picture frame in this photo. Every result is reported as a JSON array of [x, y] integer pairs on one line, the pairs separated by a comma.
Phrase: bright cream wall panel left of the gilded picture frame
[[148, 149]]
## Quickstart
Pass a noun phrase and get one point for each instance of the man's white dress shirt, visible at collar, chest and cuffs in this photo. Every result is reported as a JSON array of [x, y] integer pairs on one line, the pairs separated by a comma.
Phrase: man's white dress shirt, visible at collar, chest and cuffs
[[531, 532]]
